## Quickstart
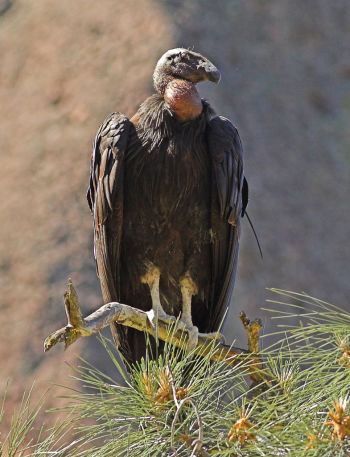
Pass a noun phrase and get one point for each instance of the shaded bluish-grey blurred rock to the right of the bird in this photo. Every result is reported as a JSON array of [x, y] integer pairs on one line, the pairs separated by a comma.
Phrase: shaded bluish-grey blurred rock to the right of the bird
[[285, 84]]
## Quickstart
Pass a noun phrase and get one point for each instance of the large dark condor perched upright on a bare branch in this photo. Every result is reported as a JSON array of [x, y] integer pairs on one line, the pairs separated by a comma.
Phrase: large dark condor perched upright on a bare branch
[[167, 192]]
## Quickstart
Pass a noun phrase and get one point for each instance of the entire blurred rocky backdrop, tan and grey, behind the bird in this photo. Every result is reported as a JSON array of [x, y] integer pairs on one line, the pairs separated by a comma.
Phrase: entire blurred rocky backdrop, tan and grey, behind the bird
[[66, 65]]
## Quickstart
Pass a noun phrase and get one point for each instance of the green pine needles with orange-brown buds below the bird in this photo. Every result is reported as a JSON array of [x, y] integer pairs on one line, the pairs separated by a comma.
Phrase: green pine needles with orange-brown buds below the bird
[[181, 404]]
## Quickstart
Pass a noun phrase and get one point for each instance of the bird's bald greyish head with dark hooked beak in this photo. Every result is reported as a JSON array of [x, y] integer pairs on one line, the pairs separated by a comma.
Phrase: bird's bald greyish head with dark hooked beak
[[184, 64]]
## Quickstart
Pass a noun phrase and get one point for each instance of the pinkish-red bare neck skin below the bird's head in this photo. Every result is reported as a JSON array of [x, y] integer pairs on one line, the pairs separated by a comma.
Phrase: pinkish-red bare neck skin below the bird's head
[[183, 99]]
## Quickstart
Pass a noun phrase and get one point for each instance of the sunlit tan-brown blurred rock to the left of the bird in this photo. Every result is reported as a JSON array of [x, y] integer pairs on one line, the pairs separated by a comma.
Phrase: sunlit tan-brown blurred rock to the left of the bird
[[65, 67]]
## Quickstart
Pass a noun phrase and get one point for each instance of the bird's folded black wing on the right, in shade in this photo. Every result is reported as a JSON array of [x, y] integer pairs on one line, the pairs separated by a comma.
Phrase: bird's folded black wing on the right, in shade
[[227, 159]]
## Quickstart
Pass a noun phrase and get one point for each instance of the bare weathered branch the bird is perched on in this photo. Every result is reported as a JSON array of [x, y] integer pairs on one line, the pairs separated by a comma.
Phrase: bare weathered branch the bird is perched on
[[132, 317]]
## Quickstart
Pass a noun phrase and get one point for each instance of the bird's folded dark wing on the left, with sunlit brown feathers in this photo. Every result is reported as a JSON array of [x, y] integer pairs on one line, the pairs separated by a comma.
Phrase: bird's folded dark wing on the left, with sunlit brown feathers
[[105, 198]]
